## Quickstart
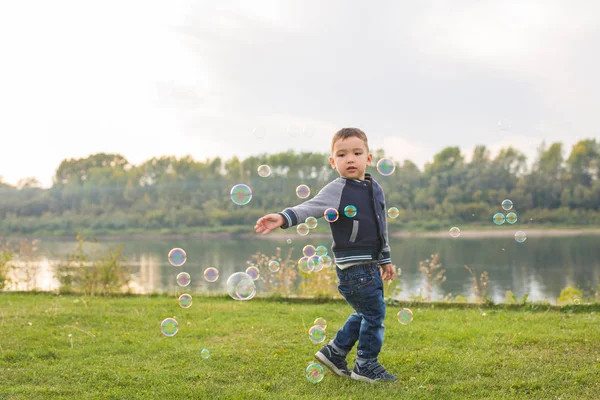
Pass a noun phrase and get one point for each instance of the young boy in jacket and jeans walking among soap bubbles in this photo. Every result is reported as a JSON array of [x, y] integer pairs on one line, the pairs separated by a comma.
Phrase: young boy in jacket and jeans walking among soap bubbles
[[362, 254]]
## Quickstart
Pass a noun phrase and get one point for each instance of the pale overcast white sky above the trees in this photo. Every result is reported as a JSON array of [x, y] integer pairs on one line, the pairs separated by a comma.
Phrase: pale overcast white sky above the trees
[[223, 78]]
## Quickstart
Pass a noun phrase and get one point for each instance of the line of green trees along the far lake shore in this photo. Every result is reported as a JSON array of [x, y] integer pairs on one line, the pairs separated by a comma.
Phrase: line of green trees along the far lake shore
[[105, 192]]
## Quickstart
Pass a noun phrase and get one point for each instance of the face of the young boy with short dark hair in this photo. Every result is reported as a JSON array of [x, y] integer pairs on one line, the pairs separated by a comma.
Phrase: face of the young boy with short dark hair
[[350, 157]]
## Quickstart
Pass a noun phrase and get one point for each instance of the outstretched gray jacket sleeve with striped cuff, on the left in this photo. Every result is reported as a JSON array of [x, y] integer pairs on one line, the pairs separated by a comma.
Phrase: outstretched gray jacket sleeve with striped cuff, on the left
[[329, 196]]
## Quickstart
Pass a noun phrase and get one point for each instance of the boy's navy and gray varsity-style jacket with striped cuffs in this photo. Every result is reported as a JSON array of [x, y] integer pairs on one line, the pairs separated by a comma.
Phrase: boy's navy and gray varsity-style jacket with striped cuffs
[[362, 238]]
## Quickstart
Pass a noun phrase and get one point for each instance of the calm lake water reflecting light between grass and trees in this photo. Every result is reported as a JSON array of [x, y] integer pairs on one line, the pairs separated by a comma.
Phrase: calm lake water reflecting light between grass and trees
[[541, 266]]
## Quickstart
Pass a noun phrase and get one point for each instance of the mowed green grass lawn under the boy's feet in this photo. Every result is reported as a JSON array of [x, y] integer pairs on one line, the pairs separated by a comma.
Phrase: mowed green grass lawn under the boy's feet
[[260, 349]]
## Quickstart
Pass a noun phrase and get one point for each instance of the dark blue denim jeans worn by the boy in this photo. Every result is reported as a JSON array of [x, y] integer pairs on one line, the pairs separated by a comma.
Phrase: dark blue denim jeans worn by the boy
[[362, 287]]
